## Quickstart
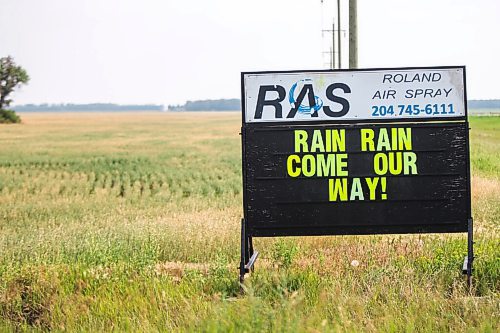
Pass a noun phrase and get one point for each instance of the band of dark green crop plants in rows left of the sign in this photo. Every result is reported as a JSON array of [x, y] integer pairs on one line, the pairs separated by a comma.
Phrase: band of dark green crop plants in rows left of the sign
[[118, 183]]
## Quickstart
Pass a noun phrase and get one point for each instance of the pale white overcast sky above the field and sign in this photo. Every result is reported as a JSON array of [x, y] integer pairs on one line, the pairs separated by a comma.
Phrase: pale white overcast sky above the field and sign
[[165, 51]]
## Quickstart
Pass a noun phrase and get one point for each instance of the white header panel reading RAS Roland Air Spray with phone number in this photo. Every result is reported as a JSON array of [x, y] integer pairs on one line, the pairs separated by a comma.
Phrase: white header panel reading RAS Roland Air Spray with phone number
[[380, 94]]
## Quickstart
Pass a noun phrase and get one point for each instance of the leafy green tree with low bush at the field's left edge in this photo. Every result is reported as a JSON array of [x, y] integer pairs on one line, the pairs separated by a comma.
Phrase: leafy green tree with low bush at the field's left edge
[[11, 77]]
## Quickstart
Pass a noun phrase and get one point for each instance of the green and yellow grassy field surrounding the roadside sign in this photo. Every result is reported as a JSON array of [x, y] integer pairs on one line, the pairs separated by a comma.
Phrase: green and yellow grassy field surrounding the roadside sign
[[130, 222]]
